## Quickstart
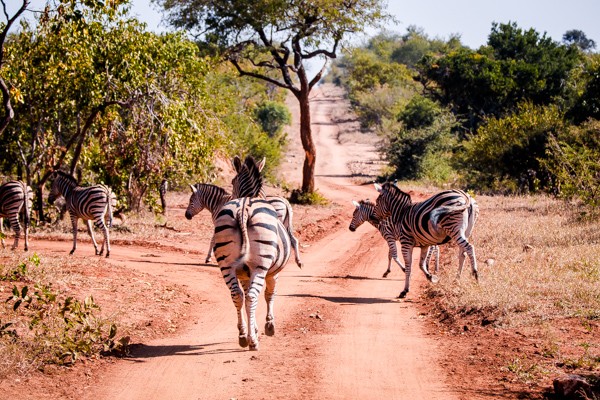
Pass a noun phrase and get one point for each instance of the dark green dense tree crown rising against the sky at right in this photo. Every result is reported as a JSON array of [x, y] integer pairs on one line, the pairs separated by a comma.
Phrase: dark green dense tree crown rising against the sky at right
[[515, 66]]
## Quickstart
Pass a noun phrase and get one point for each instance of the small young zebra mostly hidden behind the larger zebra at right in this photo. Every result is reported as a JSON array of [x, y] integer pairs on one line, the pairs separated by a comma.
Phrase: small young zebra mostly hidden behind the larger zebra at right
[[365, 212]]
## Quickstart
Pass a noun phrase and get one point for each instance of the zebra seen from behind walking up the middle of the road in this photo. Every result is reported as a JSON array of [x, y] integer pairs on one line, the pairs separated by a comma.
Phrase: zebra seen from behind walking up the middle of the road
[[251, 246]]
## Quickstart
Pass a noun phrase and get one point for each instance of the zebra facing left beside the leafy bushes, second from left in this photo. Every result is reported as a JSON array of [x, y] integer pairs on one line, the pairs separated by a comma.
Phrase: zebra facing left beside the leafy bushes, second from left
[[88, 203]]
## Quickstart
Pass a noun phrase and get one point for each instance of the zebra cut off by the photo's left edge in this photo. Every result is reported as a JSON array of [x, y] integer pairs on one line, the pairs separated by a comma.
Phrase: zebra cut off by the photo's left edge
[[16, 196]]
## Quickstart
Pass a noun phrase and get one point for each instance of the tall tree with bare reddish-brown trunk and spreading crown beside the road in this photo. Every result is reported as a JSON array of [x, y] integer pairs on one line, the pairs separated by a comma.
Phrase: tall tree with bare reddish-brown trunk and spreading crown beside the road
[[272, 40]]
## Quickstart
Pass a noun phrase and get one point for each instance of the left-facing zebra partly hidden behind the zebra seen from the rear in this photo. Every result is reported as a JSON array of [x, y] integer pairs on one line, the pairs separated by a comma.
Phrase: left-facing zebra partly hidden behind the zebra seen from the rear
[[212, 197]]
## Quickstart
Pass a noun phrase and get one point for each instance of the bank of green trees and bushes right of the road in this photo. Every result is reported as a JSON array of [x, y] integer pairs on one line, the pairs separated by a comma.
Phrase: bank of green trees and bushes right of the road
[[520, 114]]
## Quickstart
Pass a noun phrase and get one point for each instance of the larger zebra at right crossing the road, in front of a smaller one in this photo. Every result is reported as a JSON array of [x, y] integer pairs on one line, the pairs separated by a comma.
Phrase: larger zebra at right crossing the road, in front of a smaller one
[[448, 215]]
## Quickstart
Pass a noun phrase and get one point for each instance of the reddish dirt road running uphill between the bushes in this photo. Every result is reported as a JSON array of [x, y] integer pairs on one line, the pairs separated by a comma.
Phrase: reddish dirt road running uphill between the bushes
[[340, 332]]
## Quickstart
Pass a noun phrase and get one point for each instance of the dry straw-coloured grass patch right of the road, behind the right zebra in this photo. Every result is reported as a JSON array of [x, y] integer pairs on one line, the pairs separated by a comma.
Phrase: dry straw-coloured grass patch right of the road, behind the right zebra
[[542, 264]]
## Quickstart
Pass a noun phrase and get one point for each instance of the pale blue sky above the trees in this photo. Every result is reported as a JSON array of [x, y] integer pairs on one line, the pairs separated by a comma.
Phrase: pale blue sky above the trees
[[471, 19]]
